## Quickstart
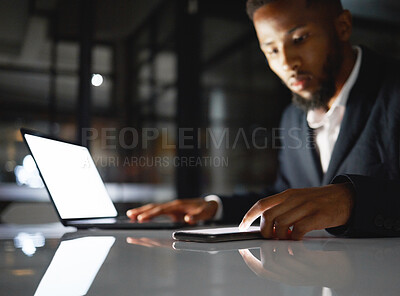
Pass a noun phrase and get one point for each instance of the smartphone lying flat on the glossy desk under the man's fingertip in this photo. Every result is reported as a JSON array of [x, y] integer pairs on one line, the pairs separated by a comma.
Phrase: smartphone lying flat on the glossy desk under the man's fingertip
[[213, 235]]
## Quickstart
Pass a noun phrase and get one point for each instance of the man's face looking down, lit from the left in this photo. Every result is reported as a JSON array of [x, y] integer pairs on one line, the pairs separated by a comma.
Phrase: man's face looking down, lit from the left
[[302, 48]]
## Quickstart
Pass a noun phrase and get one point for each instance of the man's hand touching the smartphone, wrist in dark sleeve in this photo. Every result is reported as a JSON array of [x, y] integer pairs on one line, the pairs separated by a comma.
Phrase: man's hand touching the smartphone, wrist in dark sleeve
[[305, 209]]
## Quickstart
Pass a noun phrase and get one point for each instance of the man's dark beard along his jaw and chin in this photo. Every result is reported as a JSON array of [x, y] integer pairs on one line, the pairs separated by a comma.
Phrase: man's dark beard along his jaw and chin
[[324, 94]]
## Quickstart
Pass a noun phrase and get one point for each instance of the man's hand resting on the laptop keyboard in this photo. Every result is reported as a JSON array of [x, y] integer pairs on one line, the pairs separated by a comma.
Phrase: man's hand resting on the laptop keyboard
[[188, 210]]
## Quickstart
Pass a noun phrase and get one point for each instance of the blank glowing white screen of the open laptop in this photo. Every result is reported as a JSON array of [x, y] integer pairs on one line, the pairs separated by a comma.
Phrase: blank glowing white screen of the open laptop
[[72, 179]]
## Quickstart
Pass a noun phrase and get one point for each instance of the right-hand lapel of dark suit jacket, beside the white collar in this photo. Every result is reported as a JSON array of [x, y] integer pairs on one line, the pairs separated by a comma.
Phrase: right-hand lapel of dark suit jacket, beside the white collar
[[358, 109]]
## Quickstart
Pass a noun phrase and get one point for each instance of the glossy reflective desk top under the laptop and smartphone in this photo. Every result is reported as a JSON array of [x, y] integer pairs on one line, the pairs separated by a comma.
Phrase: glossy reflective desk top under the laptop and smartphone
[[53, 260]]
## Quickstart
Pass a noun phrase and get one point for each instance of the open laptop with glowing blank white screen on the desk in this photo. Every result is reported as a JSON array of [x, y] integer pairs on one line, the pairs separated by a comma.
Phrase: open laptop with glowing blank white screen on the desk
[[76, 188]]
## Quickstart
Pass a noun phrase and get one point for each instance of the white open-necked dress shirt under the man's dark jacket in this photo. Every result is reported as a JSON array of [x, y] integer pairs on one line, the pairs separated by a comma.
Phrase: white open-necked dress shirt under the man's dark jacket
[[327, 124]]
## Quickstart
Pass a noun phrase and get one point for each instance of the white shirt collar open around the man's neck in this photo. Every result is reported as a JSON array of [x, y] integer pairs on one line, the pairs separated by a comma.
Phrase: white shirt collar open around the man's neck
[[317, 117]]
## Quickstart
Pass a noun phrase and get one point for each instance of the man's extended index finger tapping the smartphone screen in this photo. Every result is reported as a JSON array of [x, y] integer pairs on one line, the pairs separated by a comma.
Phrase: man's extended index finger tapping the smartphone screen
[[260, 207]]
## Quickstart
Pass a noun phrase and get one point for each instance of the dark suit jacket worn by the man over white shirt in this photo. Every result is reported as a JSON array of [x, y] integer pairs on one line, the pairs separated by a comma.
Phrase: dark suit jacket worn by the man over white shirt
[[366, 154]]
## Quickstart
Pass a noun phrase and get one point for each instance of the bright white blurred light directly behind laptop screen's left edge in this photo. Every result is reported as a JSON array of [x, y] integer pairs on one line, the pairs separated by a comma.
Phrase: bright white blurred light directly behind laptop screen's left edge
[[27, 173]]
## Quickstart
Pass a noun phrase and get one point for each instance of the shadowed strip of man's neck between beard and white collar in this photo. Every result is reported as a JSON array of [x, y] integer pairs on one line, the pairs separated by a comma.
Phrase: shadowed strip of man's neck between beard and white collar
[[349, 60]]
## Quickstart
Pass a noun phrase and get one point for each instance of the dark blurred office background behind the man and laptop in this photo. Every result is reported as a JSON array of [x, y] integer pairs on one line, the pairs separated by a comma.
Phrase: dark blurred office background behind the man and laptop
[[112, 66]]
